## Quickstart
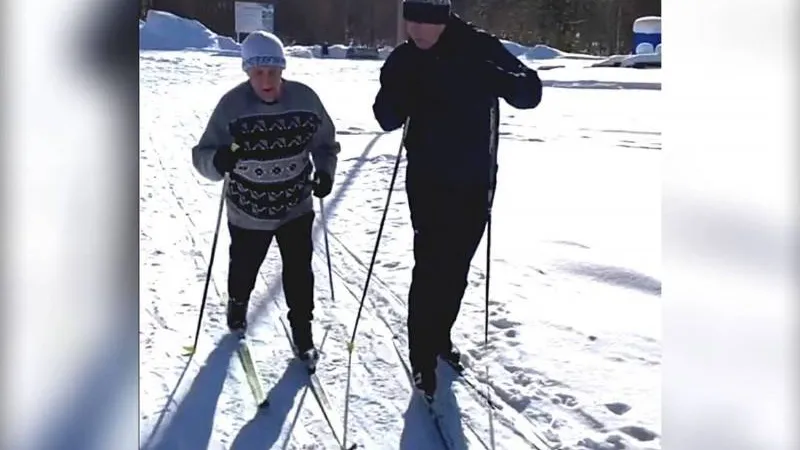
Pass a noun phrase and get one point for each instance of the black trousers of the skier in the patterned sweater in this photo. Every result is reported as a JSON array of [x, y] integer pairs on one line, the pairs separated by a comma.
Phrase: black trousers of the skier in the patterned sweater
[[247, 252]]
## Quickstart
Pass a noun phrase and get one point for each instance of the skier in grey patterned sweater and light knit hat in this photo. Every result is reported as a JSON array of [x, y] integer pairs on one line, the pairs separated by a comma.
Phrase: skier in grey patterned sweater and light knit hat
[[264, 133]]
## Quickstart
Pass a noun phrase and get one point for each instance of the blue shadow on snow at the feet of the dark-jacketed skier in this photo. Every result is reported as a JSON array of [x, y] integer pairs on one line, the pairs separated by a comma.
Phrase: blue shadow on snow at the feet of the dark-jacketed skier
[[420, 430]]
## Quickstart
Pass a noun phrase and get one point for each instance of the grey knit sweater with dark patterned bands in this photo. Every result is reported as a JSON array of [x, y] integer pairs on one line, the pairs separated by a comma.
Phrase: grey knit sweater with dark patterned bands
[[271, 184]]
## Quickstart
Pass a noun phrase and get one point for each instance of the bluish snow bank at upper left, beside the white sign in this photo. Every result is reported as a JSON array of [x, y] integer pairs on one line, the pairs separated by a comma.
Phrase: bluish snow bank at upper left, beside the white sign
[[166, 31]]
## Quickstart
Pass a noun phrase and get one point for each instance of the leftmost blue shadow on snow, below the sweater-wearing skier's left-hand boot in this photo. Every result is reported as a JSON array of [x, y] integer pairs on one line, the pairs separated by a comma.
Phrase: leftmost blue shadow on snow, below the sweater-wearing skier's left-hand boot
[[192, 423]]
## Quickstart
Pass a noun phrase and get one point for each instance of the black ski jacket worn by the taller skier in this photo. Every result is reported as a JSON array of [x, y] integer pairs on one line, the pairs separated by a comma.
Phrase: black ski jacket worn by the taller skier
[[450, 92]]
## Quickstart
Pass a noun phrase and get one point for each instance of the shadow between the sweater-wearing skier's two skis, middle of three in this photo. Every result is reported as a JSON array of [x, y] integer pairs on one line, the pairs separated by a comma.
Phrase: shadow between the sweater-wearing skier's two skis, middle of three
[[263, 430]]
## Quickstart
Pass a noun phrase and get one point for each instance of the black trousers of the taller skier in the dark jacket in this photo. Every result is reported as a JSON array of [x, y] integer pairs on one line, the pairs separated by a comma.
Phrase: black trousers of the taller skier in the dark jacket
[[448, 227]]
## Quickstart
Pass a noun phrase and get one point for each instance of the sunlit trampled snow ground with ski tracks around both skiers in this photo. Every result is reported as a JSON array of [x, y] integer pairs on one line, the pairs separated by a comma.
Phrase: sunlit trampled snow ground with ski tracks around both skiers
[[562, 368]]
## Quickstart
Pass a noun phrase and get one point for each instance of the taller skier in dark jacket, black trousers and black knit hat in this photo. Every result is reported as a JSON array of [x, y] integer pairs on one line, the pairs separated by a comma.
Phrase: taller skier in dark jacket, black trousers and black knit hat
[[446, 80]]
